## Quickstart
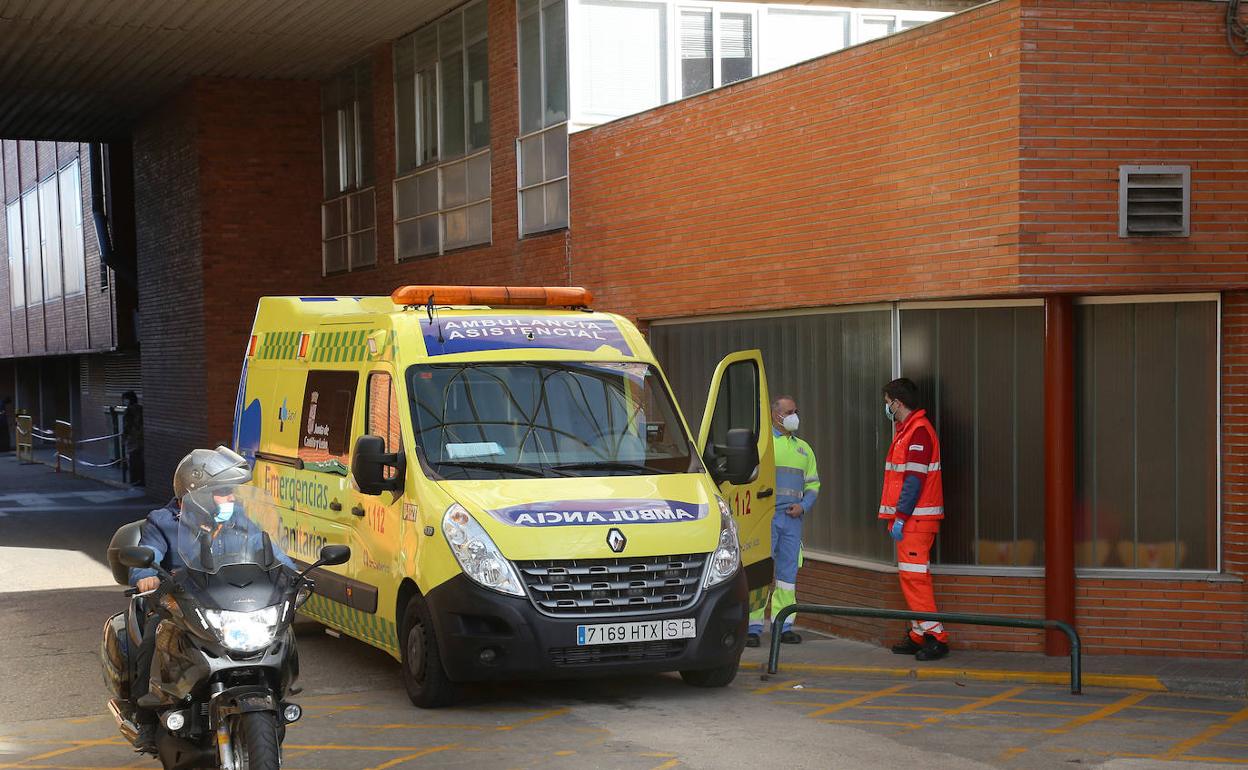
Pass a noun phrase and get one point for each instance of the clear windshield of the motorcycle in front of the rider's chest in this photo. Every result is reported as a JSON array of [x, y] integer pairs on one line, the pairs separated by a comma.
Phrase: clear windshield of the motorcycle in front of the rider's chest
[[225, 526]]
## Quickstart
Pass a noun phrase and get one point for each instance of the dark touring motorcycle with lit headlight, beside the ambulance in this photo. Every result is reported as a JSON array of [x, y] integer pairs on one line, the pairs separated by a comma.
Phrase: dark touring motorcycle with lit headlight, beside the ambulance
[[225, 661]]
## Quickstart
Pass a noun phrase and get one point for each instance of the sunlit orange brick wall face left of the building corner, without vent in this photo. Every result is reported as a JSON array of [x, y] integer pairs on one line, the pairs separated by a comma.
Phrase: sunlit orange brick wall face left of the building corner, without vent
[[854, 178]]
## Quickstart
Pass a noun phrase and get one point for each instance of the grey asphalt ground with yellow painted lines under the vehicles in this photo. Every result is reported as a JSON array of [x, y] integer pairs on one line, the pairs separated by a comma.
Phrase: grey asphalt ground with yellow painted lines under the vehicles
[[833, 704]]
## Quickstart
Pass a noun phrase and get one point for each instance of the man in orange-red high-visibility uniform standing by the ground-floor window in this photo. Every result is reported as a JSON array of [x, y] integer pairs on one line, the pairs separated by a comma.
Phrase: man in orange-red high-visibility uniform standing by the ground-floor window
[[914, 505]]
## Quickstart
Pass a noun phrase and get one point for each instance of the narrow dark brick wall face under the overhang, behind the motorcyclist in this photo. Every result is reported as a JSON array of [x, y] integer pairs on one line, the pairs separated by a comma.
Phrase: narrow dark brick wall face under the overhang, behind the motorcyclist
[[170, 294]]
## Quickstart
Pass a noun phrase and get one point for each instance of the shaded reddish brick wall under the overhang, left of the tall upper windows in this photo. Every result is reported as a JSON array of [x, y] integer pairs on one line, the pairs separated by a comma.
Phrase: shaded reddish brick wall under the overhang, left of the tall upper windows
[[259, 153]]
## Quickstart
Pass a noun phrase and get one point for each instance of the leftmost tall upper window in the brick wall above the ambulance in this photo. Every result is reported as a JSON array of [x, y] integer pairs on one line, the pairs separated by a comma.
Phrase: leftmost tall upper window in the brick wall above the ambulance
[[349, 222]]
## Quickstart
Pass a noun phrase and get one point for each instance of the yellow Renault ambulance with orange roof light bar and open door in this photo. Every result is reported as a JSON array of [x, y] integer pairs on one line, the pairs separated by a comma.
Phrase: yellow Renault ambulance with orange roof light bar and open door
[[521, 495]]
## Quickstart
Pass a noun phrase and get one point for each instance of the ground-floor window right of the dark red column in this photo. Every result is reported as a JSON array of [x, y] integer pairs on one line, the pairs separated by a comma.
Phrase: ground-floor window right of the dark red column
[[1148, 431]]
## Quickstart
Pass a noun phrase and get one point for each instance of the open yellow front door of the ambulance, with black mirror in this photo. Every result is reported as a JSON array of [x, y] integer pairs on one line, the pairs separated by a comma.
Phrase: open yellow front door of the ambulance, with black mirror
[[737, 434]]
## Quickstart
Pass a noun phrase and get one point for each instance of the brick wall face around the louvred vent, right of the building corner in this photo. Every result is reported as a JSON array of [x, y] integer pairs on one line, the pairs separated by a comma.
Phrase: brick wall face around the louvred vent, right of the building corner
[[1106, 84]]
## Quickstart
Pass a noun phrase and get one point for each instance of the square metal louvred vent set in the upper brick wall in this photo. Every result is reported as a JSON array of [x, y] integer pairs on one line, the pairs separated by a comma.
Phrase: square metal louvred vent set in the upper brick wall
[[1154, 202]]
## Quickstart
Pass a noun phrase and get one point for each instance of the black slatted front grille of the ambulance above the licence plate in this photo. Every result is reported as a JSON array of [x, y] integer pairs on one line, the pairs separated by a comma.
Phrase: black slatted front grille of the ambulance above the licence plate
[[612, 587]]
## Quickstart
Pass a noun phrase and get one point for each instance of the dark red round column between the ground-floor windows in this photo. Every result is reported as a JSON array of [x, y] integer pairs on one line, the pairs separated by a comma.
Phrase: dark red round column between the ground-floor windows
[[1059, 469]]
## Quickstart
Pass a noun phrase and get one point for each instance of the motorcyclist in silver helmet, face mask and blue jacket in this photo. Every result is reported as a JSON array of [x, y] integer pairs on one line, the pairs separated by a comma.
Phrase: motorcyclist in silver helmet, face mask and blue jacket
[[220, 470]]
